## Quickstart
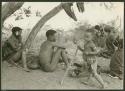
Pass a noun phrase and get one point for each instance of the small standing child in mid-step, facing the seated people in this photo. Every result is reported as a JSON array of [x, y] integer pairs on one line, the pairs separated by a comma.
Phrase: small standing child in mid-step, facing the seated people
[[89, 55]]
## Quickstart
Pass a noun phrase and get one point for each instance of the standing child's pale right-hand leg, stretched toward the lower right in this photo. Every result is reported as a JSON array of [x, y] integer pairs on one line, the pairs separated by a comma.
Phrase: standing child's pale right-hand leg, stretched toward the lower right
[[96, 75]]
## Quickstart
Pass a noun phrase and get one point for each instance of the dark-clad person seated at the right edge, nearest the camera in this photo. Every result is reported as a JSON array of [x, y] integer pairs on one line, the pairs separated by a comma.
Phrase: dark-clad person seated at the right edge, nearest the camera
[[117, 61]]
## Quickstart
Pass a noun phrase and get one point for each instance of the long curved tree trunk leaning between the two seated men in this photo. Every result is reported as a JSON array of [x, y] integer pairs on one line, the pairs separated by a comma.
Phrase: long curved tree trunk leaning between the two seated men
[[38, 26]]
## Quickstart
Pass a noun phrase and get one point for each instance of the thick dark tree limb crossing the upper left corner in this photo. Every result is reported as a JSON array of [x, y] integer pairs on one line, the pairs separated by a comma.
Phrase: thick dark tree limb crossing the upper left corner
[[9, 8]]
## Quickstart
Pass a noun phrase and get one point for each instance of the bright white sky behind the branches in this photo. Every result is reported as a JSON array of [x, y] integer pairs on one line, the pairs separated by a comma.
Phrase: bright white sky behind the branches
[[94, 14]]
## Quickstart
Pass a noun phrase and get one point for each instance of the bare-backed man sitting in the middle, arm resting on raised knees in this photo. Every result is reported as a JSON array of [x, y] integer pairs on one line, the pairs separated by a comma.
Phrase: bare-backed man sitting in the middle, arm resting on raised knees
[[51, 52]]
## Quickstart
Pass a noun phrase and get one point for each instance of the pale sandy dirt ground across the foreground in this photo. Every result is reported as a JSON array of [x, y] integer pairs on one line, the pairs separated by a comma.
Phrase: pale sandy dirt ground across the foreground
[[16, 78]]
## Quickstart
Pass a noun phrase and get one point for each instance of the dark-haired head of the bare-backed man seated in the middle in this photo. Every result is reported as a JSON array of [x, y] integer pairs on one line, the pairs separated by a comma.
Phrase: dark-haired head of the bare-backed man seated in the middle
[[50, 34]]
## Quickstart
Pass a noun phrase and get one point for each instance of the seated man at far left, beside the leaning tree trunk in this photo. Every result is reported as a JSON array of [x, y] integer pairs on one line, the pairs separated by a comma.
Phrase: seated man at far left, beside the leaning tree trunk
[[11, 47]]
